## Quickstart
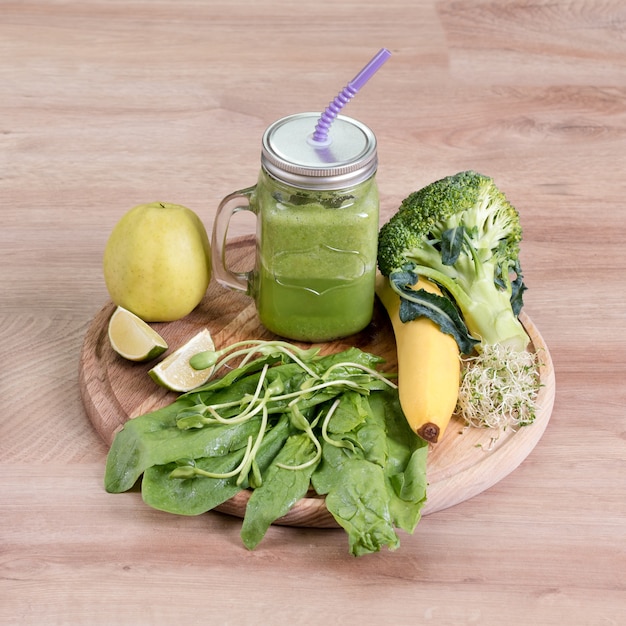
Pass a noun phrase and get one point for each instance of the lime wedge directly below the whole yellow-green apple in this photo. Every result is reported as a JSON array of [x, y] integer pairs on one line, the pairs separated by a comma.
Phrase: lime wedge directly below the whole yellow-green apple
[[133, 338]]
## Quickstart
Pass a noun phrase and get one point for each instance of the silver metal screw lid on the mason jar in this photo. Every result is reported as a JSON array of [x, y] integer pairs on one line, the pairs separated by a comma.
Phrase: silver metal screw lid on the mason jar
[[347, 158]]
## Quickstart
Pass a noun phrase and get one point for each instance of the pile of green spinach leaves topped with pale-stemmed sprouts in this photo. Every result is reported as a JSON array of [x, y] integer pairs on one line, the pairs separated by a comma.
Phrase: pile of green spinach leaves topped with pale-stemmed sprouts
[[279, 424]]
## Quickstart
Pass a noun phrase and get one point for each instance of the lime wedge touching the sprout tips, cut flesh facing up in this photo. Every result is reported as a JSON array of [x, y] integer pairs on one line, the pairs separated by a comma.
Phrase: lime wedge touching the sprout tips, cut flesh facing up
[[174, 371]]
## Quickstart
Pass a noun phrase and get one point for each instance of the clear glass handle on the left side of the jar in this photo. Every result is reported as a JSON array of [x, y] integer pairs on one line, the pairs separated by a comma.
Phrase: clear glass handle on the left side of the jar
[[231, 204]]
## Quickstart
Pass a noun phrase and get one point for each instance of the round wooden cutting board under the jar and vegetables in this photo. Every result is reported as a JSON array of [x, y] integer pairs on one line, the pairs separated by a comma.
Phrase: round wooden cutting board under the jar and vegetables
[[465, 462]]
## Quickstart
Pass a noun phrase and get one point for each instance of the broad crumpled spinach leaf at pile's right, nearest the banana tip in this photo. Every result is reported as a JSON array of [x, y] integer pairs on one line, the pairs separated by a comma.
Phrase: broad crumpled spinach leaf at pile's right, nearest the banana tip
[[379, 484]]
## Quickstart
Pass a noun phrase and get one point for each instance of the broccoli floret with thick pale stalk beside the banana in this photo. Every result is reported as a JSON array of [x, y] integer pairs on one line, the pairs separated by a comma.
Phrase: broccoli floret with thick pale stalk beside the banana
[[462, 233]]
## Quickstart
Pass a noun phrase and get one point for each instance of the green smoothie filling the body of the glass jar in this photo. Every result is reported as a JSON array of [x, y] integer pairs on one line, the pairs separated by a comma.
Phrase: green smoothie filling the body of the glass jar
[[316, 263]]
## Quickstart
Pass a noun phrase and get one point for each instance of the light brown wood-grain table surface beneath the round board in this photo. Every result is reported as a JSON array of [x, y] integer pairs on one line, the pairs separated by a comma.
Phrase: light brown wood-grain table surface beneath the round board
[[105, 105]]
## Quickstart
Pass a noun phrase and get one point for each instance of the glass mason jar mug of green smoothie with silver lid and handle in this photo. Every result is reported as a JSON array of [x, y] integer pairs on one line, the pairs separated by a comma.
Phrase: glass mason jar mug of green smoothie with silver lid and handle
[[316, 210]]
